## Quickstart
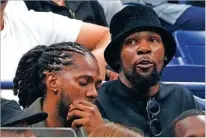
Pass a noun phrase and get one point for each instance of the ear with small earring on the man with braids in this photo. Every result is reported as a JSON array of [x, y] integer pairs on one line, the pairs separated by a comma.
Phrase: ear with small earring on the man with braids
[[52, 82]]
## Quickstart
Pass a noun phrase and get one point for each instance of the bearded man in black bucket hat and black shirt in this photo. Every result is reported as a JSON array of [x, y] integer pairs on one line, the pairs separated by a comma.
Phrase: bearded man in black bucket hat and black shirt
[[139, 50]]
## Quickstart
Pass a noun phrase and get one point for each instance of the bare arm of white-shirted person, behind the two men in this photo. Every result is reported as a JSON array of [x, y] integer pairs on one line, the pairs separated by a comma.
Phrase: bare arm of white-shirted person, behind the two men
[[95, 38]]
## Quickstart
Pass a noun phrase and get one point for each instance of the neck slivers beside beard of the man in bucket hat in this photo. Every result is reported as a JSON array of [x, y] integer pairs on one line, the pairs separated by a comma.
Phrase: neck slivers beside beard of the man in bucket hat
[[150, 91]]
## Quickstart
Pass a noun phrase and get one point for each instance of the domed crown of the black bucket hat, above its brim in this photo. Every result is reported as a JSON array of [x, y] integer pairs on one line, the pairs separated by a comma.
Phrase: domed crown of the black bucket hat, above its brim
[[131, 16]]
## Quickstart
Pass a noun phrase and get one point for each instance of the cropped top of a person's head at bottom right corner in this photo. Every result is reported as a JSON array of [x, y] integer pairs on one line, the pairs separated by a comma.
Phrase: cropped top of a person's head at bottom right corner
[[193, 126]]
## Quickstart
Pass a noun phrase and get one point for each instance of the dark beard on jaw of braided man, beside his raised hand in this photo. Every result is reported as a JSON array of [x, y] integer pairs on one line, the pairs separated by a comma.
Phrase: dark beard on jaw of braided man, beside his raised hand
[[63, 109]]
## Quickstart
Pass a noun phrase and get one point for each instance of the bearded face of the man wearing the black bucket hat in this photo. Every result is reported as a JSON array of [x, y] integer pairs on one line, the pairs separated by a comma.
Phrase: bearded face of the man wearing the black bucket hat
[[142, 58]]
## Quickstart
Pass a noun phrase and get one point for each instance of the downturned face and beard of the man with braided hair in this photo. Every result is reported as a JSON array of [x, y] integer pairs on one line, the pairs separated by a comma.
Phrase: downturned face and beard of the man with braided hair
[[79, 81]]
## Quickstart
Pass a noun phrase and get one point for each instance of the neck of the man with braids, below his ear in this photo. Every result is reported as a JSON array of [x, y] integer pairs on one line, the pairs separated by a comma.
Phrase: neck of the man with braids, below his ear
[[53, 119]]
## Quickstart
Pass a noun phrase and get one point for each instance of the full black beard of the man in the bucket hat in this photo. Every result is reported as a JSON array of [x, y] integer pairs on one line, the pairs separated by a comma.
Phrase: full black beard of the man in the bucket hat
[[142, 83]]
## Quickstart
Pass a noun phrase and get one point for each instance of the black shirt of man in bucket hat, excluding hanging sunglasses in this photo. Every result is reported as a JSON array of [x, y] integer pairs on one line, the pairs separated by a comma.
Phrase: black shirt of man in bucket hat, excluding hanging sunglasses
[[120, 104]]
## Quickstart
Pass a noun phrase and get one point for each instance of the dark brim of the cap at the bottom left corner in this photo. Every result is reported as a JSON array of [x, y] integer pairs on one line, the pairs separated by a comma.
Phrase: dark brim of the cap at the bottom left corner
[[26, 116]]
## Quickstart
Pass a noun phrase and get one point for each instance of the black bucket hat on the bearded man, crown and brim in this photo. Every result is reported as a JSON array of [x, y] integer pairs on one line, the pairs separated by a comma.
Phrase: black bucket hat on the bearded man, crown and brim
[[133, 19]]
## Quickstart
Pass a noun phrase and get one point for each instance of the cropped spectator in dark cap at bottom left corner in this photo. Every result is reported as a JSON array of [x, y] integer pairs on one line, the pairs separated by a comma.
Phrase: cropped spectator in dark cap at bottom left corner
[[13, 116]]
